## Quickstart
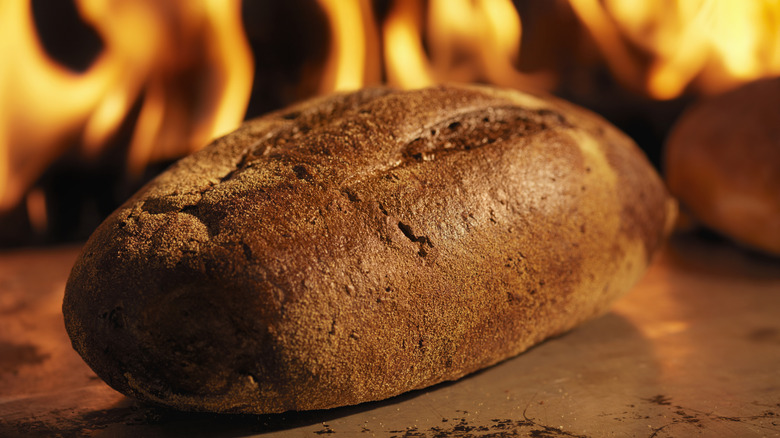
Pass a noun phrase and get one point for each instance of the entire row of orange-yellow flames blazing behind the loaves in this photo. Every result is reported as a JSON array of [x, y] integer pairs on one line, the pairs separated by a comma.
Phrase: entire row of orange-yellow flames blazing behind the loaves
[[186, 65]]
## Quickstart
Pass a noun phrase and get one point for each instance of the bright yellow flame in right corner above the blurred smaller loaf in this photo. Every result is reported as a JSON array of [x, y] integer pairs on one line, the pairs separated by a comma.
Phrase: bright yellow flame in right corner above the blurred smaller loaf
[[716, 44]]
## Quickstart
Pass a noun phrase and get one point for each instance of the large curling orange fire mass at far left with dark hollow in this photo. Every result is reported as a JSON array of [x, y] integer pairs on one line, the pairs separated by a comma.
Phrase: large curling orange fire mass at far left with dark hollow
[[187, 62]]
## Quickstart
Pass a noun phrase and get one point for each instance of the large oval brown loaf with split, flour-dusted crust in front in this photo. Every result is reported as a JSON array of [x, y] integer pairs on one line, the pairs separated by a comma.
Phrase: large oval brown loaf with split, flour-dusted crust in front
[[357, 246]]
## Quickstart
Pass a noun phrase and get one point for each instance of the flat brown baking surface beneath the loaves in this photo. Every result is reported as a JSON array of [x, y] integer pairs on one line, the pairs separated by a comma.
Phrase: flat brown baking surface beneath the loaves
[[693, 350]]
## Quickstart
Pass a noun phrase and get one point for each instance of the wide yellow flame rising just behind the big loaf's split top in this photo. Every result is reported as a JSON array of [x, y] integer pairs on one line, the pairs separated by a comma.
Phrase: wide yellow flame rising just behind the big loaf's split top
[[468, 41]]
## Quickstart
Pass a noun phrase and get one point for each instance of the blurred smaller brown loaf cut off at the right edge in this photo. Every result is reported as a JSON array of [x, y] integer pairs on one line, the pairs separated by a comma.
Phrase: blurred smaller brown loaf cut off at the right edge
[[722, 162]]
